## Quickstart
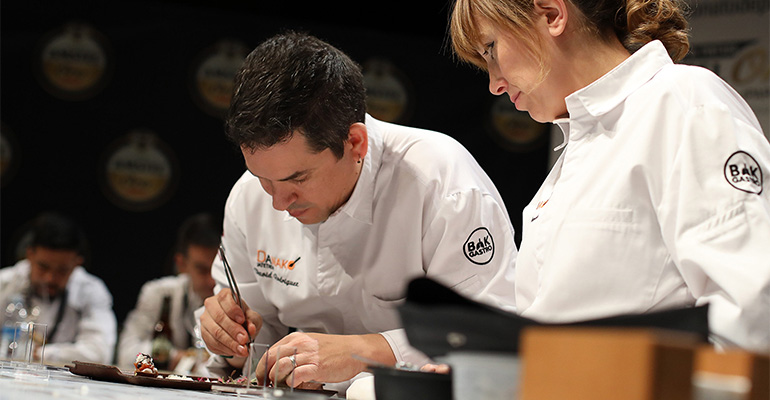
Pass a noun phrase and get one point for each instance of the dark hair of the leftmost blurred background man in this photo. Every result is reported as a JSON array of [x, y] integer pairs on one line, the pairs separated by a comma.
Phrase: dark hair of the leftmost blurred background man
[[56, 232]]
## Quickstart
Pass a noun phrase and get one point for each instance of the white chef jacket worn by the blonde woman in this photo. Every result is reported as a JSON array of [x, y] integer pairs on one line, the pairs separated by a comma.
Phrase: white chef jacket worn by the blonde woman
[[657, 201]]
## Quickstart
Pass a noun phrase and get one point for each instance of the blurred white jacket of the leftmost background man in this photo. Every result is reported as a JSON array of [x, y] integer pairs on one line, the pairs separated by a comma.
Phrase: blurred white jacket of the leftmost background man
[[86, 330]]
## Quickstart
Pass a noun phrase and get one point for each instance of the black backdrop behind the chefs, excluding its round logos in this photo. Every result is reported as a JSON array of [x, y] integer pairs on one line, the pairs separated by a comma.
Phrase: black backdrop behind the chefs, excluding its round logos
[[59, 144]]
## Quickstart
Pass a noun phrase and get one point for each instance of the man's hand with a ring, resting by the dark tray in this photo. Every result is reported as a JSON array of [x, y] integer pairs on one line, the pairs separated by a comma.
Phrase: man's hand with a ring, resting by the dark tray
[[327, 358]]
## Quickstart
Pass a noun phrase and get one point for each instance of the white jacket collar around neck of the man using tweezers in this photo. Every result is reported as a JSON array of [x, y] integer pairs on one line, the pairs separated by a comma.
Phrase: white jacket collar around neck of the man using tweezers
[[359, 205]]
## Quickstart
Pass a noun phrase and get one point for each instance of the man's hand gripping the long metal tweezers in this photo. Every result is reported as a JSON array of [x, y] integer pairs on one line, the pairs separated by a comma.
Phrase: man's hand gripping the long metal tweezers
[[222, 325]]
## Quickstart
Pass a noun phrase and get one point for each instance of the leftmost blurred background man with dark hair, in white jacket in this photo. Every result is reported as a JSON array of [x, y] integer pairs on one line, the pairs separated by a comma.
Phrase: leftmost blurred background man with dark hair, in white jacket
[[54, 289]]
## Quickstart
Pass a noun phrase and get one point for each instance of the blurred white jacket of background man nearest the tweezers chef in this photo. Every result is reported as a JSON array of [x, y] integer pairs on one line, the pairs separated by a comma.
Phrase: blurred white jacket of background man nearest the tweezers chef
[[139, 326]]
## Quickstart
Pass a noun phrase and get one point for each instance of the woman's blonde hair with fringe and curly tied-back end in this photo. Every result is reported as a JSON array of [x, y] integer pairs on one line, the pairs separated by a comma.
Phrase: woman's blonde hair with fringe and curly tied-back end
[[634, 22]]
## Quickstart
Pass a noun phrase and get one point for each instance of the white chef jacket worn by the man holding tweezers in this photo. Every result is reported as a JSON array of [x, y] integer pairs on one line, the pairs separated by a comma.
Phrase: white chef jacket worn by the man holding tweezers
[[422, 206]]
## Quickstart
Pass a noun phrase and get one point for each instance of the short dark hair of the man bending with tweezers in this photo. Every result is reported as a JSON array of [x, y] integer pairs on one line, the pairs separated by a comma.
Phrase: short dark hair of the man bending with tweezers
[[296, 82]]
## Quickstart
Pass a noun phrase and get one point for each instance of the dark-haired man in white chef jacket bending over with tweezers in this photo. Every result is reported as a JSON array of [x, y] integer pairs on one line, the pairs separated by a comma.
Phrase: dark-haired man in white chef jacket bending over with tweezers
[[338, 212]]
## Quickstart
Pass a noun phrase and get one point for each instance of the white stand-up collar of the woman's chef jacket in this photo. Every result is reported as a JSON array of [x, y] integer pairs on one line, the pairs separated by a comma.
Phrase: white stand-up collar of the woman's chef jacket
[[614, 87]]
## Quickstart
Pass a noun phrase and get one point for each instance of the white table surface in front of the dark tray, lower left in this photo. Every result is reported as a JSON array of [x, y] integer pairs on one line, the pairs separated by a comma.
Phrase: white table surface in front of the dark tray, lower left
[[18, 383]]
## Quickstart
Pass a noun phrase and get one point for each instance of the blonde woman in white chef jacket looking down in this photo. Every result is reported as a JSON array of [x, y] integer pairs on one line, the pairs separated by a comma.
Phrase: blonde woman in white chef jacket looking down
[[658, 198]]
